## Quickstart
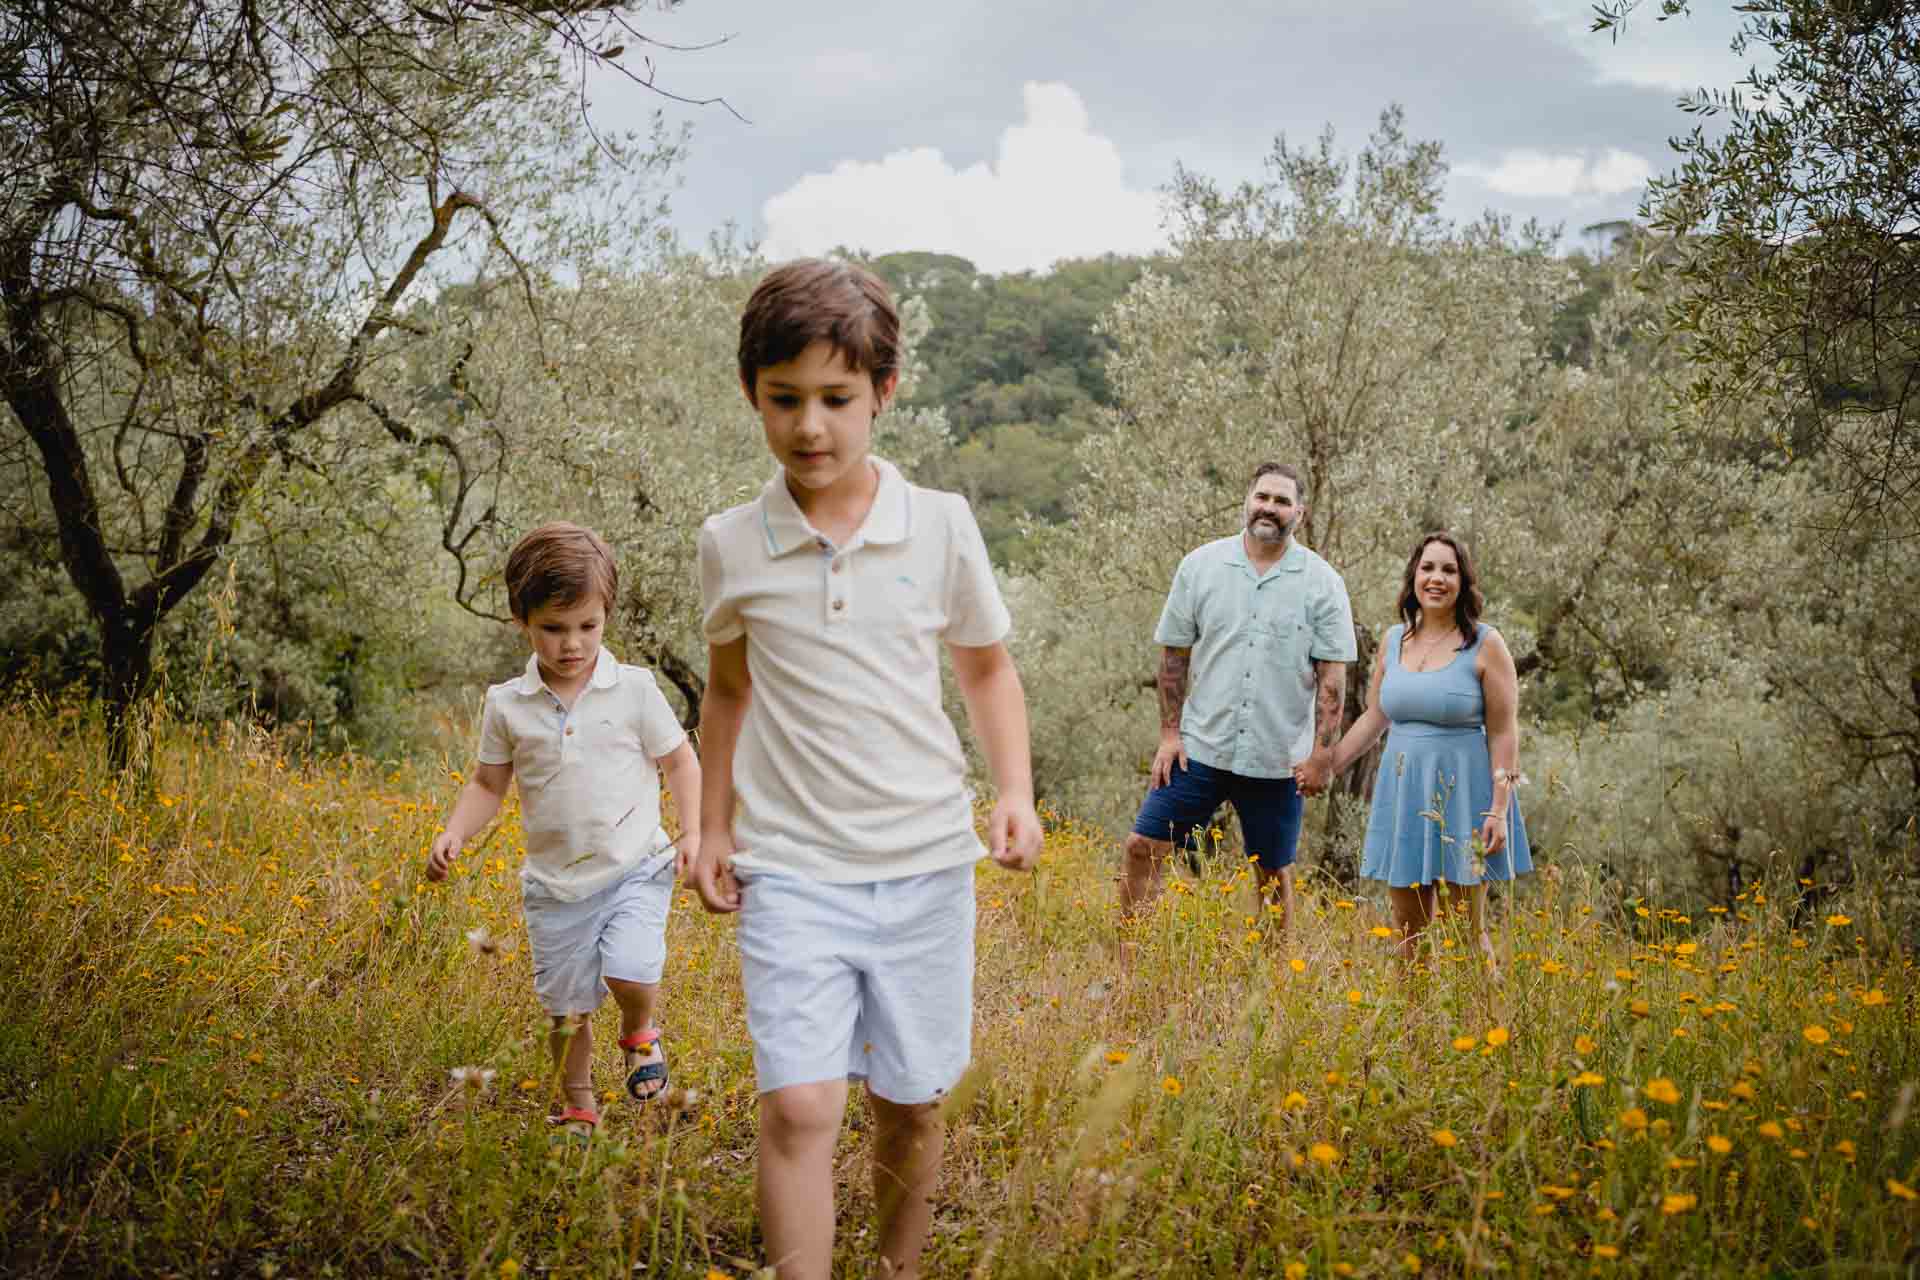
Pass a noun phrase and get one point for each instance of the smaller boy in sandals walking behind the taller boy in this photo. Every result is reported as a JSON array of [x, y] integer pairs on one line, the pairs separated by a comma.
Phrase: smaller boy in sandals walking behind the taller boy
[[585, 734]]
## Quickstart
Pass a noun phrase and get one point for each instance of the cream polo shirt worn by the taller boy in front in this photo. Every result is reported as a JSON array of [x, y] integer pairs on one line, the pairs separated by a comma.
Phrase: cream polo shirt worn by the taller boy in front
[[848, 767]]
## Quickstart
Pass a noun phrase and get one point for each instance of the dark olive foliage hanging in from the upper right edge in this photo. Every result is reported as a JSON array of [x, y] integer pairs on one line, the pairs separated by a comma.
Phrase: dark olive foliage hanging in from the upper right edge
[[1792, 231]]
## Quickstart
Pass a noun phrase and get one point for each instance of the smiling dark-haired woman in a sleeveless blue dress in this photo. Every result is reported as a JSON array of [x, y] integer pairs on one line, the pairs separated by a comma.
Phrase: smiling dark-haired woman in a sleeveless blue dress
[[1447, 696]]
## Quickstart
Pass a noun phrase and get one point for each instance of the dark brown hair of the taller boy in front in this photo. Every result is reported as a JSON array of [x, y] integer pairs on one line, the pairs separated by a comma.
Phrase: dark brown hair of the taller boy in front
[[813, 300]]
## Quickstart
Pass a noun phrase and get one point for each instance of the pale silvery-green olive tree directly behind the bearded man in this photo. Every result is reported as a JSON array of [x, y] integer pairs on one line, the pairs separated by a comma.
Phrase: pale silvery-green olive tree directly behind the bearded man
[[1328, 318]]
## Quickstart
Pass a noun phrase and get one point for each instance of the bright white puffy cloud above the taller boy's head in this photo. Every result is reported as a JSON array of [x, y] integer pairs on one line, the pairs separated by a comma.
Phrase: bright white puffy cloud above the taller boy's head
[[1055, 191]]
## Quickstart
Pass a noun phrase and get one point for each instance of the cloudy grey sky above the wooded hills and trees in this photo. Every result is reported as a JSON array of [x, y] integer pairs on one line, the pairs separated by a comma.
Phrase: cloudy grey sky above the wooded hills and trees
[[1022, 131]]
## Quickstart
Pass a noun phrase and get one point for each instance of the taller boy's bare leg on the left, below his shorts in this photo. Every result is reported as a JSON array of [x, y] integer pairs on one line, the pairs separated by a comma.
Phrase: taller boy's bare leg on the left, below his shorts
[[796, 1177]]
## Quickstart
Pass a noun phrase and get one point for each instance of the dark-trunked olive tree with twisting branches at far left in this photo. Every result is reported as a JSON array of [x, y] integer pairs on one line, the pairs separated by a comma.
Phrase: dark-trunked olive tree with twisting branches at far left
[[214, 222]]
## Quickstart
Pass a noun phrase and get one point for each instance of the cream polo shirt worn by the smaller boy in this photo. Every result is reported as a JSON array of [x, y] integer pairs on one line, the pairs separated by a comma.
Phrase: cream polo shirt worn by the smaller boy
[[590, 792]]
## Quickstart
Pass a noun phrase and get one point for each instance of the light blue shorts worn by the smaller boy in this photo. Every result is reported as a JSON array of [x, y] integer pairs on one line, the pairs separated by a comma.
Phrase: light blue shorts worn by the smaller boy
[[617, 934]]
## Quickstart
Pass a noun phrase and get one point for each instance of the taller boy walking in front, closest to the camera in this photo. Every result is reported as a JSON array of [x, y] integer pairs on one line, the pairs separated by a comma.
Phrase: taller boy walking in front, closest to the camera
[[852, 859]]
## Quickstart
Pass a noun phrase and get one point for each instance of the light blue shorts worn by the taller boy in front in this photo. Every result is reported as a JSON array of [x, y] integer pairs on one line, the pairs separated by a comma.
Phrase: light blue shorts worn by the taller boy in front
[[861, 982]]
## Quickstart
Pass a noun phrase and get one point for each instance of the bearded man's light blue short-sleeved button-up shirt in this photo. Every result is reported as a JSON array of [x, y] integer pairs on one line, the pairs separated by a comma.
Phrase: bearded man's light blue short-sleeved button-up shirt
[[1255, 640]]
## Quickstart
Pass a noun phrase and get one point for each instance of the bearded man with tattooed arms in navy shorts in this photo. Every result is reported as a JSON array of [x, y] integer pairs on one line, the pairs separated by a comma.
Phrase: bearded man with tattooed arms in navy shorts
[[1255, 640]]
